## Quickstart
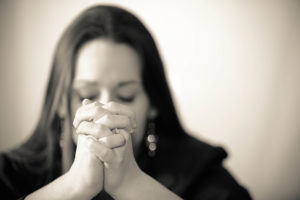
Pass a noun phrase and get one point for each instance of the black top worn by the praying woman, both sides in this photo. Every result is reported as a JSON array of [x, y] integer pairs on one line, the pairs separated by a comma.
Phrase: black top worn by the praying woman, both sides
[[190, 168]]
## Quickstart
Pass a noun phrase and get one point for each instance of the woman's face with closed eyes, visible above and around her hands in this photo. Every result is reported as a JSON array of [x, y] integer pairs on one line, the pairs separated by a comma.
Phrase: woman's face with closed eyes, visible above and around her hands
[[108, 71]]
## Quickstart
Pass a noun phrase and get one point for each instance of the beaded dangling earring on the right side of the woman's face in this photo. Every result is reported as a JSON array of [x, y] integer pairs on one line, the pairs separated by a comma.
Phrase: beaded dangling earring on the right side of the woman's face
[[151, 139]]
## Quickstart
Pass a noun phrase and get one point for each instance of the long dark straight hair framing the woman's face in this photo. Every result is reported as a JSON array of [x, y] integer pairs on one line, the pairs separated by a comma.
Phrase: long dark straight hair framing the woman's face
[[120, 26]]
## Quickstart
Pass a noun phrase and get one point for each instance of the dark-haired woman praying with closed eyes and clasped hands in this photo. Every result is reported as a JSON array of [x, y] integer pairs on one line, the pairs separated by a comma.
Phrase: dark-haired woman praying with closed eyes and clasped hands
[[108, 128]]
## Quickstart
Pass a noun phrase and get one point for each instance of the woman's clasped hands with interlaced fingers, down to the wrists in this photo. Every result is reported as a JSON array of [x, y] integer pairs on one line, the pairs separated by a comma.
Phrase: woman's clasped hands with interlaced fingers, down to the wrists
[[104, 156]]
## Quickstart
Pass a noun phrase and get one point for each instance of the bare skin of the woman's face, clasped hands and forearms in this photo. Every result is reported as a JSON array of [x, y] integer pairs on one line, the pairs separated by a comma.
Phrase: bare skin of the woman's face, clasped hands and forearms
[[108, 128]]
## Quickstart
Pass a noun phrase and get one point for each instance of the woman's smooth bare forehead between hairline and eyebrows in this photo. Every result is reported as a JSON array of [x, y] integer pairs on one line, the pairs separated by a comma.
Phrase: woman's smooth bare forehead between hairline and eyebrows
[[105, 61]]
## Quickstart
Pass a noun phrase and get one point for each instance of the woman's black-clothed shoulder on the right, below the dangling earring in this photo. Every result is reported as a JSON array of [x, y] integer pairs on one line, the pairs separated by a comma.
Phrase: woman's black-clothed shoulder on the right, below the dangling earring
[[196, 169]]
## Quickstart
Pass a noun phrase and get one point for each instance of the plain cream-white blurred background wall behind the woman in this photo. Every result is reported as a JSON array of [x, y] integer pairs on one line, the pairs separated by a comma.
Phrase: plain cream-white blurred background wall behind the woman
[[233, 68]]
